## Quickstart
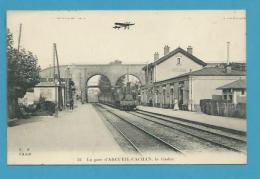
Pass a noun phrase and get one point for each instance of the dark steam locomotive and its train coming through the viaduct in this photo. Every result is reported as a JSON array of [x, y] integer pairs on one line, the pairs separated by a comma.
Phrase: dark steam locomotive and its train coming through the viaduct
[[121, 98]]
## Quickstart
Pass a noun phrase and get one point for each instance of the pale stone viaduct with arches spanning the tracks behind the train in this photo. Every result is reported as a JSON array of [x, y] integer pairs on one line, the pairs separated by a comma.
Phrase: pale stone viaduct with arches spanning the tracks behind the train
[[80, 74]]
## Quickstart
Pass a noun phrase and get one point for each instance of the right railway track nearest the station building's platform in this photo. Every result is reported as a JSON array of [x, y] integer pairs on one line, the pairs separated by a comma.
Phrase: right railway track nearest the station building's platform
[[216, 137]]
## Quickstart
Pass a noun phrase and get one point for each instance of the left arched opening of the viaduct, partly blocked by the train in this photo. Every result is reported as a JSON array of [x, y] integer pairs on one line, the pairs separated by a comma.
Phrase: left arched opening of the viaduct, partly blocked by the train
[[96, 85]]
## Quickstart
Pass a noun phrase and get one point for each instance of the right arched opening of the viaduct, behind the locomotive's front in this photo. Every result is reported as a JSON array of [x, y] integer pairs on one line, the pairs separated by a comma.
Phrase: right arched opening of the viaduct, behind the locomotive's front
[[129, 84]]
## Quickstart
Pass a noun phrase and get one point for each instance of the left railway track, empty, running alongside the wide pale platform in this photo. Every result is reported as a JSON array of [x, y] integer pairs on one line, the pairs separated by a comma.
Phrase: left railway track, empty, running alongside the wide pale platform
[[141, 140]]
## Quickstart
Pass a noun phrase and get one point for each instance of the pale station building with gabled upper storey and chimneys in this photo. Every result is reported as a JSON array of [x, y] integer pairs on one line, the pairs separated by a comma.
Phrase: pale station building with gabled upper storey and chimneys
[[180, 80]]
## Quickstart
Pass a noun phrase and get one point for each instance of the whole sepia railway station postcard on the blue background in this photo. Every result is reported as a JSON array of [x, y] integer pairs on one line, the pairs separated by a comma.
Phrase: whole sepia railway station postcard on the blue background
[[87, 87]]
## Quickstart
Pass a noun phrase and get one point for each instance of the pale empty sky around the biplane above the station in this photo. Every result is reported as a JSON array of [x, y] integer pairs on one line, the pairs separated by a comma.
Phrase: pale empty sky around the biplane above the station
[[87, 37]]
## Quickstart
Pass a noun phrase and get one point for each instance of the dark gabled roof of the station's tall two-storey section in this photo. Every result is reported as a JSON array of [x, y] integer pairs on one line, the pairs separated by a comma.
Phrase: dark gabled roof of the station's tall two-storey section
[[172, 53]]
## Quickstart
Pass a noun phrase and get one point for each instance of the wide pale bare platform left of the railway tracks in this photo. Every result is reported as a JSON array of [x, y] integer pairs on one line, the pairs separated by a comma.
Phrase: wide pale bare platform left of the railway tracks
[[72, 138]]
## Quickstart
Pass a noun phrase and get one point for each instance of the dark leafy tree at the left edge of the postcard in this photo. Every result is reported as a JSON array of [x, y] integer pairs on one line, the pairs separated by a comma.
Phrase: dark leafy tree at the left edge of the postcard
[[23, 74]]
